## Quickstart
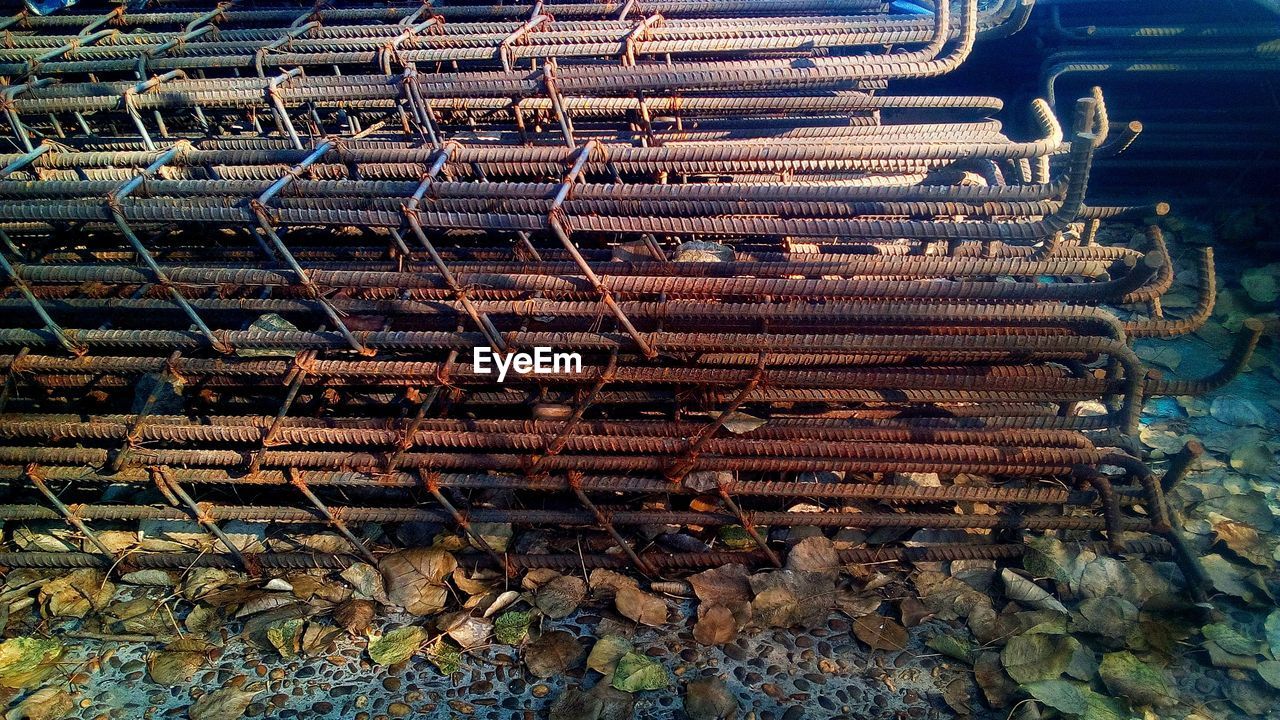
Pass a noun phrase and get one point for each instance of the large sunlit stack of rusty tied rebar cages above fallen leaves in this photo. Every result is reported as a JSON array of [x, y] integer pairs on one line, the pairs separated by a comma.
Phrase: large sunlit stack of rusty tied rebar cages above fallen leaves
[[262, 250]]
